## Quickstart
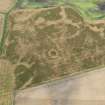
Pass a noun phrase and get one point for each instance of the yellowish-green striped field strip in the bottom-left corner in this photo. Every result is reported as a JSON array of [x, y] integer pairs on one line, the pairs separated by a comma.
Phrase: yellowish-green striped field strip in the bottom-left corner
[[6, 83]]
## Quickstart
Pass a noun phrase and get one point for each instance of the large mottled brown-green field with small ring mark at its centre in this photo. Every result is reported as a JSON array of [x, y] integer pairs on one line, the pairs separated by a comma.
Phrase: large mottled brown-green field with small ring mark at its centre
[[49, 43]]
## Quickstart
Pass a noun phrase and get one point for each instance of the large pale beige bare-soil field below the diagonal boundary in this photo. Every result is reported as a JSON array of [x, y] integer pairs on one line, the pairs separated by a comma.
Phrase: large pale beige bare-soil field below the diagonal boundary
[[84, 89]]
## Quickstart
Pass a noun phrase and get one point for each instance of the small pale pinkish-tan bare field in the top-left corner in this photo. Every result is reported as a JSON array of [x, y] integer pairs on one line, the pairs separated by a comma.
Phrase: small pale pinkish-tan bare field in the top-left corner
[[6, 4]]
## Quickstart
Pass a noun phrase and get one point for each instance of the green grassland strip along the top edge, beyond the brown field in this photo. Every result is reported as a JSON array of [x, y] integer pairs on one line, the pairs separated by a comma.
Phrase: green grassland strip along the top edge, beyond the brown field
[[88, 8]]
